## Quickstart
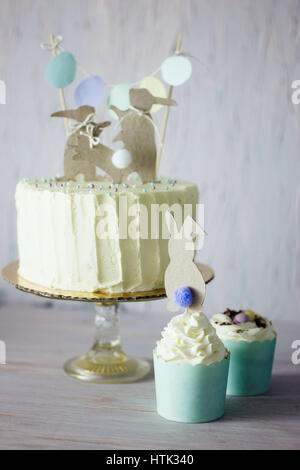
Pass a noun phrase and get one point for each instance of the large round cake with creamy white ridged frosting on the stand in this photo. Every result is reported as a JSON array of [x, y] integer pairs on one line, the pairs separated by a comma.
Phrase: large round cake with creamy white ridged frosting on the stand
[[59, 228]]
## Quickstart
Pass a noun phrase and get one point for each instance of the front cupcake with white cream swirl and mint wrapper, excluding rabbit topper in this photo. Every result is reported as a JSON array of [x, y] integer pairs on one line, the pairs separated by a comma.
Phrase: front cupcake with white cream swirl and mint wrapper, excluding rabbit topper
[[191, 369]]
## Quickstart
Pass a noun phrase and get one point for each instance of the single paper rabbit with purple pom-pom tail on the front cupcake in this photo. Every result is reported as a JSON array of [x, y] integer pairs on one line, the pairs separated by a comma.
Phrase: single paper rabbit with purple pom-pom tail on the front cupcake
[[184, 284]]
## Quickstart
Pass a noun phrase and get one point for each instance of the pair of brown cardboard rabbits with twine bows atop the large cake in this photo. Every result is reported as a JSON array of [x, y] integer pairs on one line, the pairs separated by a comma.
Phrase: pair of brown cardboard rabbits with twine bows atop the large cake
[[84, 151]]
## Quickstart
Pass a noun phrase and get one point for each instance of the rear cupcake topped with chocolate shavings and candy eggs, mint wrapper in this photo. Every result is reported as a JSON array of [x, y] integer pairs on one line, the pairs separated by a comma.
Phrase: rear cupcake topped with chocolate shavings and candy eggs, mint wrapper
[[251, 340]]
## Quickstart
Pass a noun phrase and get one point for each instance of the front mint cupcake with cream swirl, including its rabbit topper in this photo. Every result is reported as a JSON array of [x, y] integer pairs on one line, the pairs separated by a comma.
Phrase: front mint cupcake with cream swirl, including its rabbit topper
[[190, 362]]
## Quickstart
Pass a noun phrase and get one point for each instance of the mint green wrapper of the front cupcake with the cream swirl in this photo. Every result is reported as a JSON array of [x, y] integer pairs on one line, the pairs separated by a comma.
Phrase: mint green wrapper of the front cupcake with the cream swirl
[[190, 394]]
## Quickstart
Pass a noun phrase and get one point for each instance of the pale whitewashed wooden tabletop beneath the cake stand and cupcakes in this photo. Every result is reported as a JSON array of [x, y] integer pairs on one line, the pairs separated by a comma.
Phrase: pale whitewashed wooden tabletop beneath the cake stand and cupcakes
[[42, 408]]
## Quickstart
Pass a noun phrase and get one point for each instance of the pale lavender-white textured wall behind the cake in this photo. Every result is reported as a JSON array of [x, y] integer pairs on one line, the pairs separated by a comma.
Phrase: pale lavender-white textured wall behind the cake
[[236, 132]]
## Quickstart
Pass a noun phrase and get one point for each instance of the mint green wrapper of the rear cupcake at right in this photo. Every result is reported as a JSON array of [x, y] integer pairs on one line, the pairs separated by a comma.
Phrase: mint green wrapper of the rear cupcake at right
[[250, 367]]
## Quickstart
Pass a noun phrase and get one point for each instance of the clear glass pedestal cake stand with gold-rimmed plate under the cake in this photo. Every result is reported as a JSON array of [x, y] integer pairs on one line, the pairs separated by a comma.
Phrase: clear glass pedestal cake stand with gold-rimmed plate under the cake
[[106, 362]]
